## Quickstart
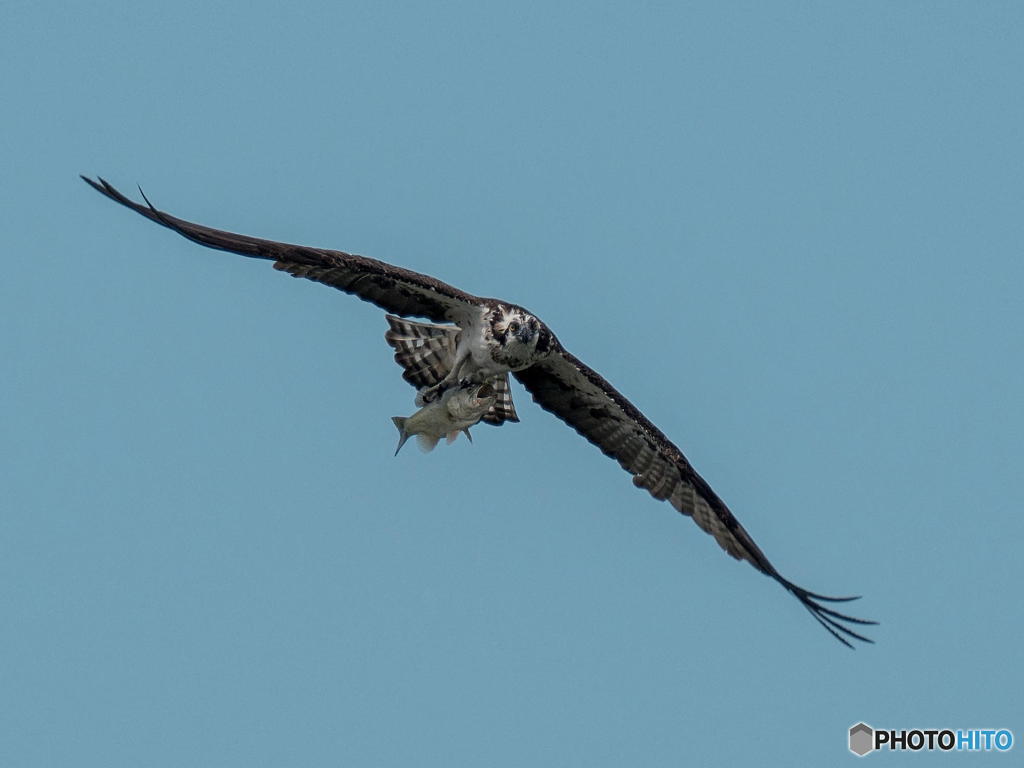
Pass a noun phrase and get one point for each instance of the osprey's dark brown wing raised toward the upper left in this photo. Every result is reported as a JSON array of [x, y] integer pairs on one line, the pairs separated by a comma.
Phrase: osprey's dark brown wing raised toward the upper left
[[392, 288]]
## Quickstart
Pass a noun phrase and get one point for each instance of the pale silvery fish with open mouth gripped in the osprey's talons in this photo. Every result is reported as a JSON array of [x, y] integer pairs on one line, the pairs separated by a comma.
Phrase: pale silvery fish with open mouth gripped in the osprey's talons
[[457, 410]]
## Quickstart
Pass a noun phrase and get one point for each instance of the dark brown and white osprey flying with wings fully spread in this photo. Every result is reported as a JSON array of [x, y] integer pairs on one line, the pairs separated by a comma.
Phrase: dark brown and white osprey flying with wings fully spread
[[485, 340]]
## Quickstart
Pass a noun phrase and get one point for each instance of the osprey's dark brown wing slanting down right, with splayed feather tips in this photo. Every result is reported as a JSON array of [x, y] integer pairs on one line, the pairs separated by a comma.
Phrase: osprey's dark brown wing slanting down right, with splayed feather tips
[[582, 399]]
